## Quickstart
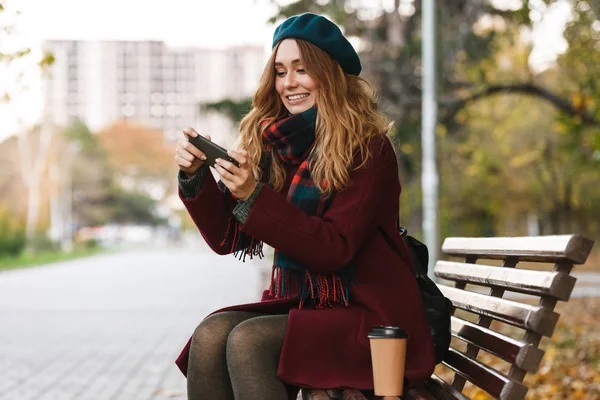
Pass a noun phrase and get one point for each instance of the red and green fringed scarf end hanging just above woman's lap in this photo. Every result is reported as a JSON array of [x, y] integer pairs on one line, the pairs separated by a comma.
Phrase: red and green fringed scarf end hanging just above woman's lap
[[321, 291]]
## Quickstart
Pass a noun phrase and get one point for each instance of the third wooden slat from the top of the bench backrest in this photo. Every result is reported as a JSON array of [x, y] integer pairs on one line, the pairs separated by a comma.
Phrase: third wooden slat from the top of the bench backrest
[[533, 318]]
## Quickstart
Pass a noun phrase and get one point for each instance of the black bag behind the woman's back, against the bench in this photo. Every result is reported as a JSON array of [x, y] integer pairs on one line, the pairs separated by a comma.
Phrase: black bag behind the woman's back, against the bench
[[438, 308]]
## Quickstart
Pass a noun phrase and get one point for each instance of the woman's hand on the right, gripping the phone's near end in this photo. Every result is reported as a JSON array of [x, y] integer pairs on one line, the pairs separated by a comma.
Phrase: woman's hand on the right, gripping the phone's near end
[[240, 181]]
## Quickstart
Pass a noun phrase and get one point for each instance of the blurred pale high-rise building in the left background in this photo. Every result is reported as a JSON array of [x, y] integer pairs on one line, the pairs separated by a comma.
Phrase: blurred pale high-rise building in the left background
[[146, 81]]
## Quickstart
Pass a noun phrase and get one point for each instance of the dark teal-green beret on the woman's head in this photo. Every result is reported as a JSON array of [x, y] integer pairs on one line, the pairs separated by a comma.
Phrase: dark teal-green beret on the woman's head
[[322, 33]]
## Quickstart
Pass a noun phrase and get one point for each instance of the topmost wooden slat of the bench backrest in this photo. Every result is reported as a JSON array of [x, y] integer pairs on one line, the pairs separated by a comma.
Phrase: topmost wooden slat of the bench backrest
[[570, 248]]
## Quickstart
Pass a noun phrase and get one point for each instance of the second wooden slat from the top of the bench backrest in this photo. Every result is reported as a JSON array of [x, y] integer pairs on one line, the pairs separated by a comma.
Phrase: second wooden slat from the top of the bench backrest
[[542, 283]]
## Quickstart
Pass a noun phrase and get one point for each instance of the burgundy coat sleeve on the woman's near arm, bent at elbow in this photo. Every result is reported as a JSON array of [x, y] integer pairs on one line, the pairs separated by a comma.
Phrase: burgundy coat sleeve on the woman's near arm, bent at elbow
[[328, 243]]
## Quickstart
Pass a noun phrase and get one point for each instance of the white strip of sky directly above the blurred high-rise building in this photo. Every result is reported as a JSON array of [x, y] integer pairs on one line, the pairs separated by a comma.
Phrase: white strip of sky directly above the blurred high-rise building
[[213, 23]]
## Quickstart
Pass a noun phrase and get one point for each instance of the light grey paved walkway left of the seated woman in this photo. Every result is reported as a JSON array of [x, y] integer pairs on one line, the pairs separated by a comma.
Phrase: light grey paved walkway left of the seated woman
[[109, 327]]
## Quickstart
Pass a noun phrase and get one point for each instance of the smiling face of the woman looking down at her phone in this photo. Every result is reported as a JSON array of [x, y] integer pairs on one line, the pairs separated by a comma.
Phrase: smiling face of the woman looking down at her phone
[[297, 90]]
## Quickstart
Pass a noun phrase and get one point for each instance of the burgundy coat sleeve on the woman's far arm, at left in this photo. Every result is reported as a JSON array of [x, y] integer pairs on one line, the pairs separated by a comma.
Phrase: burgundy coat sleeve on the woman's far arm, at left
[[211, 211]]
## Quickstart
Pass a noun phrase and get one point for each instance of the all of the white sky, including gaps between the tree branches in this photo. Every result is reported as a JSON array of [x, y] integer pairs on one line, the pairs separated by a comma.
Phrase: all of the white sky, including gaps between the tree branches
[[204, 23]]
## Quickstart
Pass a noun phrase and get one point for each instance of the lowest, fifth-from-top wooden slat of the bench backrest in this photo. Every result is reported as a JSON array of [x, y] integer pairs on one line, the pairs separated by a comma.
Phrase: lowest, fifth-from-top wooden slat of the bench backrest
[[490, 380]]
